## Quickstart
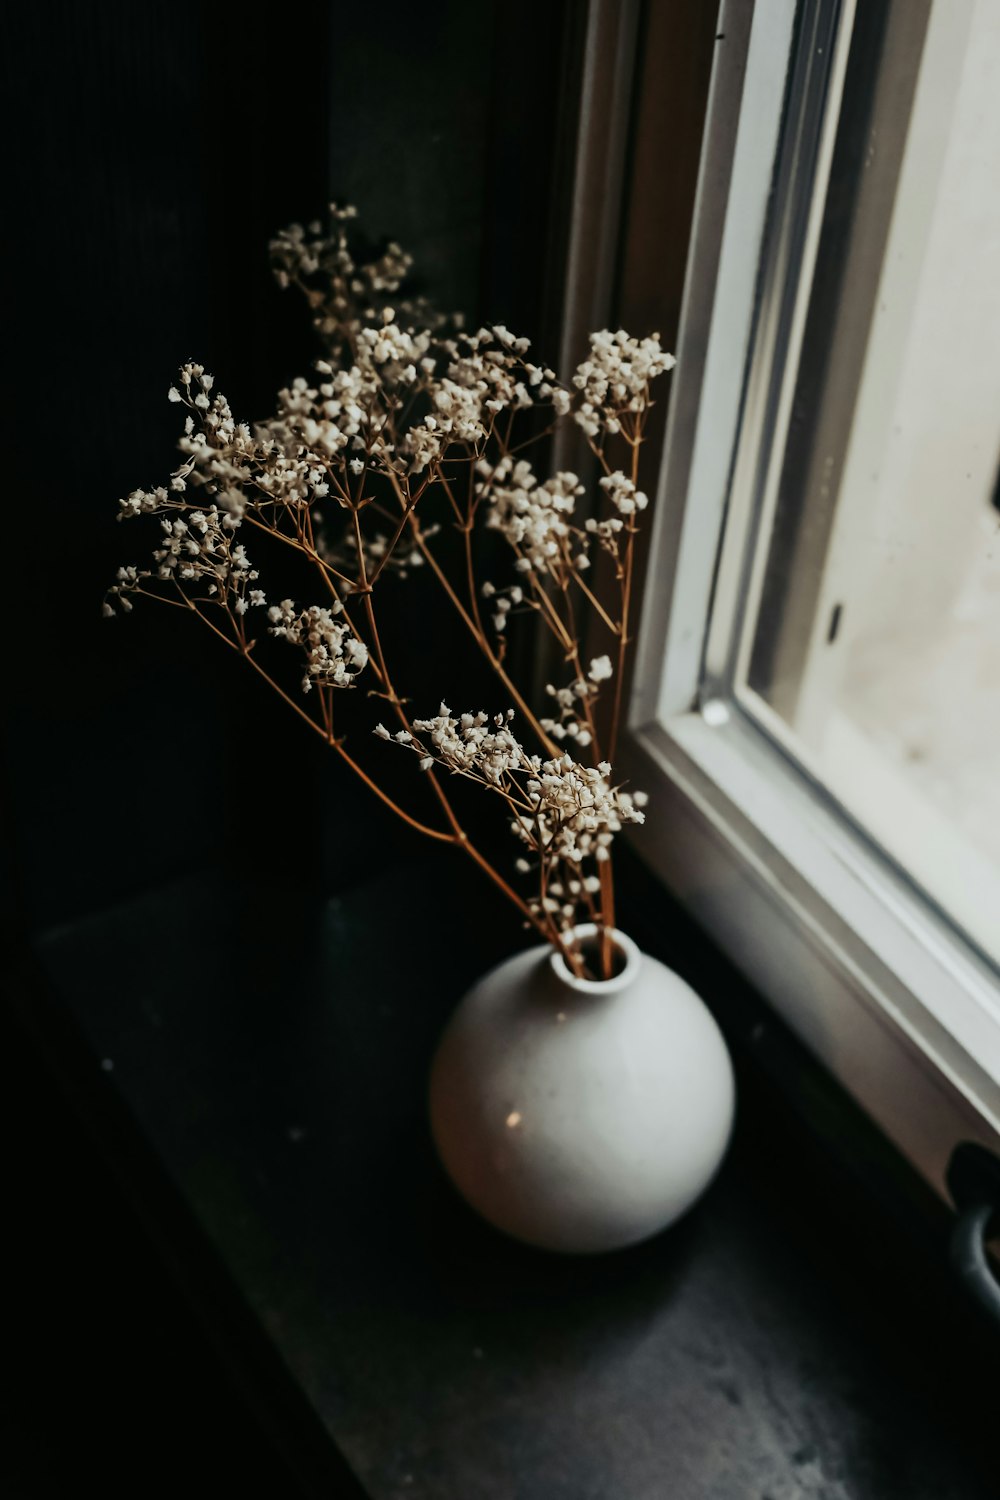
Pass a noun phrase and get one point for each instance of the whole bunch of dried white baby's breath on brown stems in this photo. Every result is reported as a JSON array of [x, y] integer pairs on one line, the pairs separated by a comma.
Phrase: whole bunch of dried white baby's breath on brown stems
[[404, 430]]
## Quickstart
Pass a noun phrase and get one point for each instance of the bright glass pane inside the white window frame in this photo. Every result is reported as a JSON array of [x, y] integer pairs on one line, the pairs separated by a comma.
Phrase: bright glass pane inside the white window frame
[[873, 637]]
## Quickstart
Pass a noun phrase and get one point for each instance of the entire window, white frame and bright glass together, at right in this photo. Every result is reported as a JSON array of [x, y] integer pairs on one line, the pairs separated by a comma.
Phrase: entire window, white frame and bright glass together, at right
[[818, 685]]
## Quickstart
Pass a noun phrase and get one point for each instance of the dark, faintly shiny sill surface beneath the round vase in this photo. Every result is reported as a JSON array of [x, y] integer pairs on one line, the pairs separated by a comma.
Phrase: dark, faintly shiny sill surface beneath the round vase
[[268, 1054]]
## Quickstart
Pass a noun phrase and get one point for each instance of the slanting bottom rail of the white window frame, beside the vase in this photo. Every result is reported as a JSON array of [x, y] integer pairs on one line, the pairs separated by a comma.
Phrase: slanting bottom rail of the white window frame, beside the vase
[[891, 1004]]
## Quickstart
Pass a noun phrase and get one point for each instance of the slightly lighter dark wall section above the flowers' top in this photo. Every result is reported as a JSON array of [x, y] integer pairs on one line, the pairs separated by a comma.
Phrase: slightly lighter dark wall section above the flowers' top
[[445, 122]]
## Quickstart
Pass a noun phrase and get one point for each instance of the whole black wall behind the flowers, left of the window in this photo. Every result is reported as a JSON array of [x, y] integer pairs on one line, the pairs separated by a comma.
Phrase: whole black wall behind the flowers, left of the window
[[152, 151]]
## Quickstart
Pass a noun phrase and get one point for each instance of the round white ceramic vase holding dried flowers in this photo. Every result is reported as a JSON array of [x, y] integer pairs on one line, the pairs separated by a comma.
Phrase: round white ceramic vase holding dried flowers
[[581, 1115]]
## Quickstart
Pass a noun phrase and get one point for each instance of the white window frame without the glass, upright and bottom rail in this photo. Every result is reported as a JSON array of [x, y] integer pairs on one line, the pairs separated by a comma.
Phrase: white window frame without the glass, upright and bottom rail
[[882, 989]]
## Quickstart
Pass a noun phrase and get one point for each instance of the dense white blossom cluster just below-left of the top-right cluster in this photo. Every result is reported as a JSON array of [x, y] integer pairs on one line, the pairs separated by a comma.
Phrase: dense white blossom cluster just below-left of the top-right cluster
[[534, 518]]
